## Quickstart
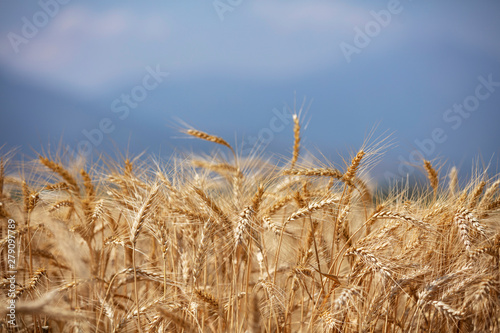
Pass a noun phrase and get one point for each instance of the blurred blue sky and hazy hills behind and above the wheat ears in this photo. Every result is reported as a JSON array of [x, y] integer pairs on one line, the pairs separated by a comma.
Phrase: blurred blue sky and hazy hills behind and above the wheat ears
[[95, 76]]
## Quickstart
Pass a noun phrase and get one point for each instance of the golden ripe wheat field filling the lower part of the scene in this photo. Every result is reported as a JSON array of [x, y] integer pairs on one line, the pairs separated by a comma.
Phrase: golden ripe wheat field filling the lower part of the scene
[[209, 243]]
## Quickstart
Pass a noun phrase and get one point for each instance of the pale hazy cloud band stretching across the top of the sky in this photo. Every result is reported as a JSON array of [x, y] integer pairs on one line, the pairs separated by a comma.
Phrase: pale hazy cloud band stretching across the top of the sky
[[92, 50]]
